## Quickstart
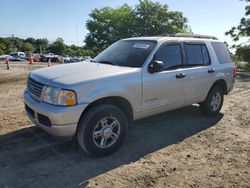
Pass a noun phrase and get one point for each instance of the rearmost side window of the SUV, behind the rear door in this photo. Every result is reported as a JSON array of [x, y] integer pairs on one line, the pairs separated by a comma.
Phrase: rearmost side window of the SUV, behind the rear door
[[221, 52]]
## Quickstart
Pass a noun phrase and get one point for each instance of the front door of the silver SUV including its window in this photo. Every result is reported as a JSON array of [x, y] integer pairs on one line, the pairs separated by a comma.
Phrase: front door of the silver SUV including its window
[[165, 90]]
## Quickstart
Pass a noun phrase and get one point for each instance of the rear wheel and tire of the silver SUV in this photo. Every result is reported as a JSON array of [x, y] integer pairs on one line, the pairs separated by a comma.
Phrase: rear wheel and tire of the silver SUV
[[213, 103]]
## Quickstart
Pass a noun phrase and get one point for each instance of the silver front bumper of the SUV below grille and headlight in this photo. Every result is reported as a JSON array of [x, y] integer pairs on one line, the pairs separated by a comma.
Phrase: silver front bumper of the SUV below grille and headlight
[[56, 120]]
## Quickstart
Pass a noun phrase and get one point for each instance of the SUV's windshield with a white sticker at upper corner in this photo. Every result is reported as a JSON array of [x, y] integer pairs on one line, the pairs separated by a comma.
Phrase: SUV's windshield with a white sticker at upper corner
[[127, 53]]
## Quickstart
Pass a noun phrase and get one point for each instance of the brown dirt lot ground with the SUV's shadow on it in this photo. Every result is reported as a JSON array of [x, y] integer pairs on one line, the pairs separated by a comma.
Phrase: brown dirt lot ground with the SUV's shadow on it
[[181, 148]]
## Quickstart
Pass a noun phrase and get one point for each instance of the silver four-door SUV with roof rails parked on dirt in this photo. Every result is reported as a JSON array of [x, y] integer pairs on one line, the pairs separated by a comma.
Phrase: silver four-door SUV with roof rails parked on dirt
[[132, 79]]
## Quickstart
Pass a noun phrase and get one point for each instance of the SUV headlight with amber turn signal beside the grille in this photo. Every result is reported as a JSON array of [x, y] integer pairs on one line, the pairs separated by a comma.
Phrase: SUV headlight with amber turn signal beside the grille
[[56, 96]]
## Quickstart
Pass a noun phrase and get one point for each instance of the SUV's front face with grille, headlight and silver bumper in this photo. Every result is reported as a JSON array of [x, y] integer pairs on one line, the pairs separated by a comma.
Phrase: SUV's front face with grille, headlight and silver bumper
[[53, 109]]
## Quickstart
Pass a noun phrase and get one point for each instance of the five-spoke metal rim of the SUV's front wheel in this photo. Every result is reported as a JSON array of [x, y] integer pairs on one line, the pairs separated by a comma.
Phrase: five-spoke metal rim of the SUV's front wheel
[[106, 132]]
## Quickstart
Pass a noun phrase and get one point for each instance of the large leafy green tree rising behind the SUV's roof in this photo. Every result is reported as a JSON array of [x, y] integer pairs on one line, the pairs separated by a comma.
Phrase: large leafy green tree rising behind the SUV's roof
[[107, 25]]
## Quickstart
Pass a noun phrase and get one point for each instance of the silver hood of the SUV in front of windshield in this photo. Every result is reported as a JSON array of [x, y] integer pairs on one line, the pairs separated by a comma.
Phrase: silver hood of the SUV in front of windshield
[[74, 73]]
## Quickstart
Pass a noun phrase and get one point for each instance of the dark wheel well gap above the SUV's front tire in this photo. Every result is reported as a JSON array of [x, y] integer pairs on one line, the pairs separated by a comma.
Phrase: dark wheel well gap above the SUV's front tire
[[119, 102]]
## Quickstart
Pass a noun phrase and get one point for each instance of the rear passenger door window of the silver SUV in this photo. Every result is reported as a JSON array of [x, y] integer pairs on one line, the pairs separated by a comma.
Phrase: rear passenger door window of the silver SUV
[[197, 55]]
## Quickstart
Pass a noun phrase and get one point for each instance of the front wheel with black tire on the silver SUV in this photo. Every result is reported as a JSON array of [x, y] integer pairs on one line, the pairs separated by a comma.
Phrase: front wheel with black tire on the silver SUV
[[102, 130]]
